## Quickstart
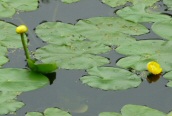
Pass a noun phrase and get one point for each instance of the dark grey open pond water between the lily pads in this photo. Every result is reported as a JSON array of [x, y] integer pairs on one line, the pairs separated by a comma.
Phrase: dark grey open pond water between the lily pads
[[67, 92]]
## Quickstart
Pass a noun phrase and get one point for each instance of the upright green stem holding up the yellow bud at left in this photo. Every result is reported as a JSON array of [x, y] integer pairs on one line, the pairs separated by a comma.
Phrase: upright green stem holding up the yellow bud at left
[[25, 46]]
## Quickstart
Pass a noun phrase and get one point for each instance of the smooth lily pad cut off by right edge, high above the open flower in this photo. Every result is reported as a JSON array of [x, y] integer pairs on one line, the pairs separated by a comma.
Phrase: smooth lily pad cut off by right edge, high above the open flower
[[163, 29]]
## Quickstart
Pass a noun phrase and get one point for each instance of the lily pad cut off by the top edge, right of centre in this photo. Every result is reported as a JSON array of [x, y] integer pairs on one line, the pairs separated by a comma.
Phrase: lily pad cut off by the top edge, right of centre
[[115, 3]]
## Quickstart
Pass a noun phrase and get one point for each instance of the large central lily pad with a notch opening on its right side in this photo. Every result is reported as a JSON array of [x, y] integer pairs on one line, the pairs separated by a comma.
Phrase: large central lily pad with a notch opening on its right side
[[78, 55]]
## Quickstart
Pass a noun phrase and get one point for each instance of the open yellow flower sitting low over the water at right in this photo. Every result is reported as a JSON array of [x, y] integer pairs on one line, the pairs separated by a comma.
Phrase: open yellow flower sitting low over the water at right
[[154, 68]]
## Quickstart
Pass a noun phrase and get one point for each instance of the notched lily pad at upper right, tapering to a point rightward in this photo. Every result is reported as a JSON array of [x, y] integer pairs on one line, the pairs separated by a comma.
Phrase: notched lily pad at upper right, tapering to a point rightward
[[139, 13]]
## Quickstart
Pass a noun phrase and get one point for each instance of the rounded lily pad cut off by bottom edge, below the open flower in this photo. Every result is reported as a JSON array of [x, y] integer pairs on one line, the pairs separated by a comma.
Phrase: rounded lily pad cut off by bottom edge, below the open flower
[[134, 110]]
